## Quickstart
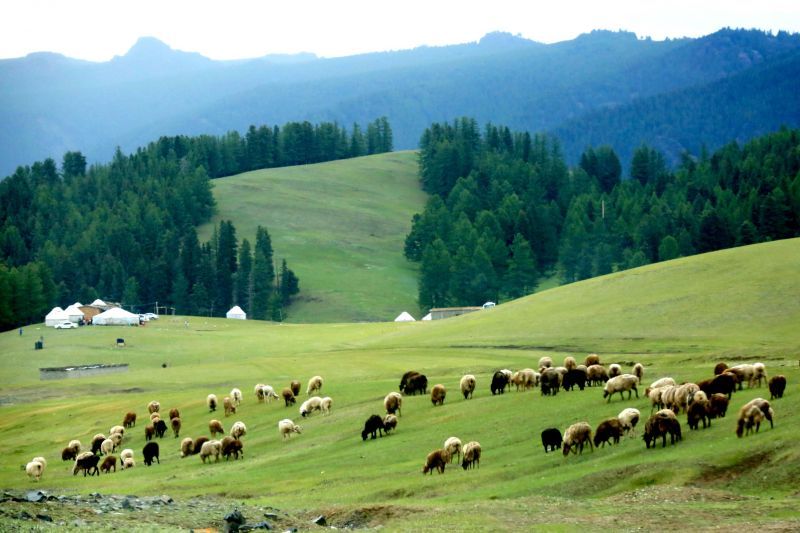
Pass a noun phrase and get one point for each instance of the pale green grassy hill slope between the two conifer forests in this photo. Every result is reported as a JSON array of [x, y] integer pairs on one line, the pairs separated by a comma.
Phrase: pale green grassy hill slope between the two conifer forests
[[341, 227]]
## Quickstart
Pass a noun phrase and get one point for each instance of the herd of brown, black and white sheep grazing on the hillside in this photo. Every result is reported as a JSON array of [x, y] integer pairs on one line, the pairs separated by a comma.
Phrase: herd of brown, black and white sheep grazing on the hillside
[[701, 402]]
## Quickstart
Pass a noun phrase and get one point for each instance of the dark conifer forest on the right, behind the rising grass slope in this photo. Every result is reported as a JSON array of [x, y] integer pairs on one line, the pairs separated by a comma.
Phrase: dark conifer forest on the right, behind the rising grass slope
[[505, 209]]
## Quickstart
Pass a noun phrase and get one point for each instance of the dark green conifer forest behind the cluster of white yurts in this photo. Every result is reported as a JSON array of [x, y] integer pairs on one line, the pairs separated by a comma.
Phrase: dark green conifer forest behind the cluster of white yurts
[[126, 231]]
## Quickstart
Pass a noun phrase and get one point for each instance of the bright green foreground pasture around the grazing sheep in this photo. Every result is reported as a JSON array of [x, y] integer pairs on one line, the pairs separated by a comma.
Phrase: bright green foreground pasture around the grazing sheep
[[677, 318]]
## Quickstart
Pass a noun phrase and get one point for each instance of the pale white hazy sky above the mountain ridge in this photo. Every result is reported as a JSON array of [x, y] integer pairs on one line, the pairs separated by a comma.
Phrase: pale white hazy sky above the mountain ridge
[[231, 29]]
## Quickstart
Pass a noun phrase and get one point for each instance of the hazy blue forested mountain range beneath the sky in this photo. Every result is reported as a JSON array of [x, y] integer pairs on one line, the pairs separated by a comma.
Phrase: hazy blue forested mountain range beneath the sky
[[50, 104]]
